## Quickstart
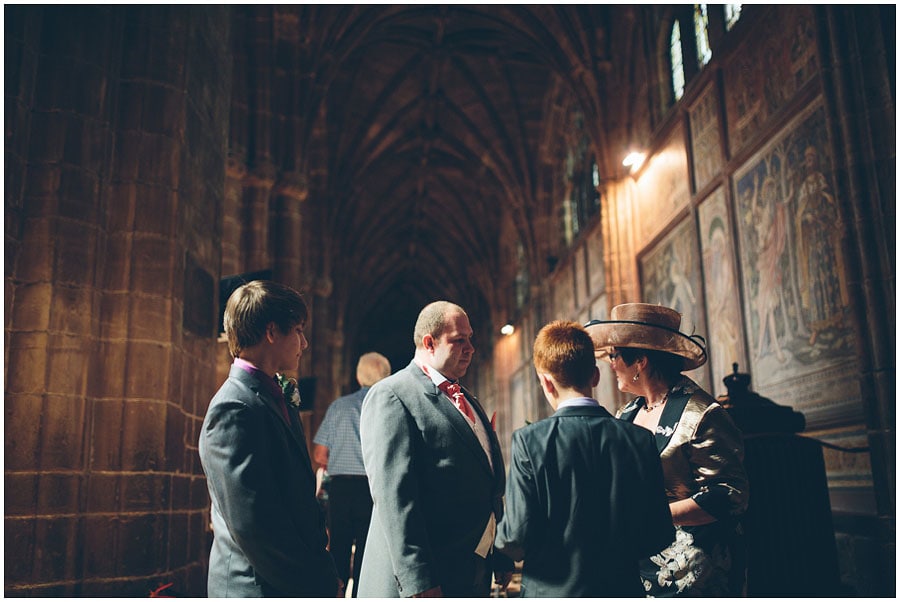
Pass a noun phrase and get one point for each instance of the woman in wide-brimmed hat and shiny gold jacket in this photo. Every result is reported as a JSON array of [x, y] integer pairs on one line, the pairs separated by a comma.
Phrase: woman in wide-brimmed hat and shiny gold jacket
[[701, 449]]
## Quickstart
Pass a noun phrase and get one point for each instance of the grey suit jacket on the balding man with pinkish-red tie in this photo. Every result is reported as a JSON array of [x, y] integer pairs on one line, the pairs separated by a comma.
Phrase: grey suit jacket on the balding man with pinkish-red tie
[[432, 487]]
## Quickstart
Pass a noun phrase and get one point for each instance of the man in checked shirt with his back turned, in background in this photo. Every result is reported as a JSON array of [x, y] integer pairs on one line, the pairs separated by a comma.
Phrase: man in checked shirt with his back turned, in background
[[338, 451]]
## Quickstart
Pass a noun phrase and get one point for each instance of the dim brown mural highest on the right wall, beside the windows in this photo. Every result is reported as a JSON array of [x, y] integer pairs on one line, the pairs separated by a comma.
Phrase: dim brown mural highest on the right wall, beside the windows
[[768, 75]]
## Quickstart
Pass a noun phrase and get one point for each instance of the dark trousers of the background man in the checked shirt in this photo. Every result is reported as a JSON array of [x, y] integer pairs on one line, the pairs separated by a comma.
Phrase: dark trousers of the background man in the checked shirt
[[349, 513]]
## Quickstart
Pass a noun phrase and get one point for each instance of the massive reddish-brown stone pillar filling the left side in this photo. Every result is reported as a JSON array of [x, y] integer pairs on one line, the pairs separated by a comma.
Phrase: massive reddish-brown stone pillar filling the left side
[[112, 292]]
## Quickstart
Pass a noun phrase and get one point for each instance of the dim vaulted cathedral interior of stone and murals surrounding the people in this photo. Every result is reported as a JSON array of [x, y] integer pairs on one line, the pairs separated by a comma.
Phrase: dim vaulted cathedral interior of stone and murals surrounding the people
[[381, 157]]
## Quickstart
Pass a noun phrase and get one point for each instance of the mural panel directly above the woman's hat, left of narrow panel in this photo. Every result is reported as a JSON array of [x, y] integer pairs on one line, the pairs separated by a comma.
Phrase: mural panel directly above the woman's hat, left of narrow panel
[[670, 276]]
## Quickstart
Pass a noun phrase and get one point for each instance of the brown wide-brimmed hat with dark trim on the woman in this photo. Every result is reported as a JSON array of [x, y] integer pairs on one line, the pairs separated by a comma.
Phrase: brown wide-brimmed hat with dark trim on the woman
[[646, 326]]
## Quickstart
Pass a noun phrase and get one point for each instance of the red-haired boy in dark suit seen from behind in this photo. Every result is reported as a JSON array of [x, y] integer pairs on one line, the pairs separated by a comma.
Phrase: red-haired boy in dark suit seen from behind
[[585, 498]]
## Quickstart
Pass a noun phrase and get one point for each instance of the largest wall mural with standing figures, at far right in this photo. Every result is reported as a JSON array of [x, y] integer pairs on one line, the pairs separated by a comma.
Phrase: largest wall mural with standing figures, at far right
[[795, 289]]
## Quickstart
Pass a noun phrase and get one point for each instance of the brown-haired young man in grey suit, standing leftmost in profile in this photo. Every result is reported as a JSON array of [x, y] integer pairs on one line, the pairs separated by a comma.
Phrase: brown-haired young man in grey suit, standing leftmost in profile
[[269, 537]]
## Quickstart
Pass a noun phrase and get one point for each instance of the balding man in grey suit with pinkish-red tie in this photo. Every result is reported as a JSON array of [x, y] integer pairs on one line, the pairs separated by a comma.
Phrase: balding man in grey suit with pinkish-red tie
[[435, 471]]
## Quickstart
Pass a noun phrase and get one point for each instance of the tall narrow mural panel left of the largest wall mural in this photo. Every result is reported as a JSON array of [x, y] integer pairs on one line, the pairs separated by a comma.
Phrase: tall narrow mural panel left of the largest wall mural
[[723, 303]]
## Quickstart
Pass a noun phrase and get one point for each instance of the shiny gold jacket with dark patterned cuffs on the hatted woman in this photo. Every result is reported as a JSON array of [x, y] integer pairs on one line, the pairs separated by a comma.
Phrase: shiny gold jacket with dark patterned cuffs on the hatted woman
[[701, 450]]
